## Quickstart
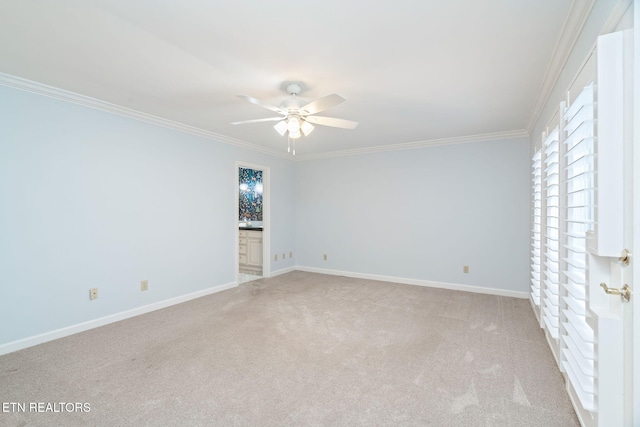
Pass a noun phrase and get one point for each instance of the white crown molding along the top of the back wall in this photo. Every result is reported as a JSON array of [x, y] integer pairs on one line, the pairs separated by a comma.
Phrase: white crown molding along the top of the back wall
[[496, 136]]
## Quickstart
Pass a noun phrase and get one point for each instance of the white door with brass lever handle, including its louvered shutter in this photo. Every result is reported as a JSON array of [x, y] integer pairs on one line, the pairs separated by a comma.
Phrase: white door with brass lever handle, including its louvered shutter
[[598, 211]]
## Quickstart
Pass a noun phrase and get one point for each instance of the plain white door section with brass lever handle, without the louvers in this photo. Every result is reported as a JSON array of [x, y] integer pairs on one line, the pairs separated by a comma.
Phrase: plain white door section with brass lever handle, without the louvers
[[611, 260]]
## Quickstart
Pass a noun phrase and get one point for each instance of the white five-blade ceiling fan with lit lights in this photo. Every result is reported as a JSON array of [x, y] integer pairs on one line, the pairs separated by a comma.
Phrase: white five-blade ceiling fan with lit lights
[[298, 120]]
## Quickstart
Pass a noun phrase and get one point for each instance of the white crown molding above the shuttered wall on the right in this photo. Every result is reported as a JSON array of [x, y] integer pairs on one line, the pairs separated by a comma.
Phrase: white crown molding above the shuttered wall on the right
[[571, 29]]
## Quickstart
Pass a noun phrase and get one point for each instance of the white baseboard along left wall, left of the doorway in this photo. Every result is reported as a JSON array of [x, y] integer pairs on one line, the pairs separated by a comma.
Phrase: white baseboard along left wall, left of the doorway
[[81, 327]]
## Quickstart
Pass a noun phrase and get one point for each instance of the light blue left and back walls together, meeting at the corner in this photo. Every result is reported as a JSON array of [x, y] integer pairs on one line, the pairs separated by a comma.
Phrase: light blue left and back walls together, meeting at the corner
[[91, 199]]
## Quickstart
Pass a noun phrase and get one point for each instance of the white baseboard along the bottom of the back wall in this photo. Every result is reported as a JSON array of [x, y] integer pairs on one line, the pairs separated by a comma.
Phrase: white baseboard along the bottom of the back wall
[[418, 282]]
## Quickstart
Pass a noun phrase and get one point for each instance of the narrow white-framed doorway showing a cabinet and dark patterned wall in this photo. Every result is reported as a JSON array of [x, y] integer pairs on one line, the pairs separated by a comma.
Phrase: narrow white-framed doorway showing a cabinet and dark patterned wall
[[252, 222]]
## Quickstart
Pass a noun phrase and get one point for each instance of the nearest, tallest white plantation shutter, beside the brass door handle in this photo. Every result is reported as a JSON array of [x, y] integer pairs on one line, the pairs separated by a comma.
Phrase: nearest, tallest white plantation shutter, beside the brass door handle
[[578, 337]]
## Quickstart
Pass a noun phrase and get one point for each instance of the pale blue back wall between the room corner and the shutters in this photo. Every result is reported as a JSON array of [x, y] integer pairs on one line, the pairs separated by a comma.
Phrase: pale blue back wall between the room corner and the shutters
[[420, 214]]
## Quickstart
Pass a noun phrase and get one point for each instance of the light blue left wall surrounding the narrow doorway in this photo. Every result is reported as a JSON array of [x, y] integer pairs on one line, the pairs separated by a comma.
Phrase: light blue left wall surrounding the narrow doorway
[[89, 199]]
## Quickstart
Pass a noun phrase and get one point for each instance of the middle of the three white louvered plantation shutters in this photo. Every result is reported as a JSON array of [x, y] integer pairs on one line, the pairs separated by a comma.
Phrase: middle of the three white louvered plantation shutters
[[551, 235]]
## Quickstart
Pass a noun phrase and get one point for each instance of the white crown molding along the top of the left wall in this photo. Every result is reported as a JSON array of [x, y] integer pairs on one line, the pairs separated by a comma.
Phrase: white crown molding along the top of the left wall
[[86, 101]]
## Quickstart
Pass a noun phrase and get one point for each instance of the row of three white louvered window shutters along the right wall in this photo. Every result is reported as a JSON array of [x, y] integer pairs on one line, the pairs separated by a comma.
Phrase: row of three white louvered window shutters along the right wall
[[563, 212]]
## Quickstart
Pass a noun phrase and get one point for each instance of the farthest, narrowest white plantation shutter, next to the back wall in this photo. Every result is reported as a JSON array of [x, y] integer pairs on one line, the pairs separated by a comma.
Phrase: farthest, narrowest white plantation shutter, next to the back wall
[[536, 227]]
